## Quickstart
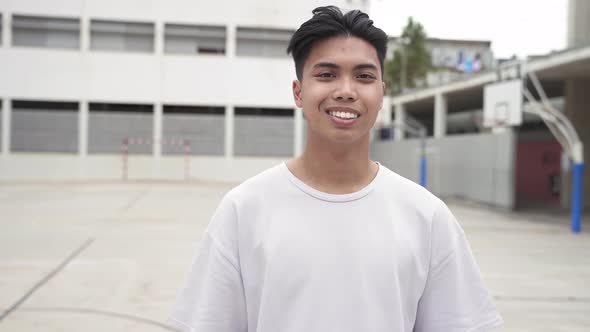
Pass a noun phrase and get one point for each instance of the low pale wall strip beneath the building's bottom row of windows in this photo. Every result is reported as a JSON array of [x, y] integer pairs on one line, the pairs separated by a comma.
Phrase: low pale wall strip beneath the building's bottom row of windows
[[19, 167]]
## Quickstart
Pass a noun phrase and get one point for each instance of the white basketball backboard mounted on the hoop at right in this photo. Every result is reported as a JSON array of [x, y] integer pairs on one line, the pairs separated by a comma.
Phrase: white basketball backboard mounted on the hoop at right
[[502, 104]]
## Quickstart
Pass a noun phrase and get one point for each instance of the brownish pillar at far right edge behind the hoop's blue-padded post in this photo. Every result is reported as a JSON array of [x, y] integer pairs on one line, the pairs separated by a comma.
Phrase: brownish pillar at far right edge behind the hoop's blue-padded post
[[577, 109]]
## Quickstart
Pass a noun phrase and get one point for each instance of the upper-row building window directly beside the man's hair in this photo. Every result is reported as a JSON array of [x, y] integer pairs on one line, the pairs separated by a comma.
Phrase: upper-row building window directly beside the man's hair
[[262, 42]]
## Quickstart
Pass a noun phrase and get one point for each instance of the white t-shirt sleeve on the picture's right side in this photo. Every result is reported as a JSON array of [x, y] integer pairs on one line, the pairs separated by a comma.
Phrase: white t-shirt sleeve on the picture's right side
[[455, 298]]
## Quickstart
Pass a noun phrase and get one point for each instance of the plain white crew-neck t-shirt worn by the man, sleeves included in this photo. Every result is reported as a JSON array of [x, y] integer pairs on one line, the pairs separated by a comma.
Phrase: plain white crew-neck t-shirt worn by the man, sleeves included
[[281, 256]]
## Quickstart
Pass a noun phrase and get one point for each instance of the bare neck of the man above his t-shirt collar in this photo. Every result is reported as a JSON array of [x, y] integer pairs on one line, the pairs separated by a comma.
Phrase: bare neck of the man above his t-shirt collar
[[335, 168]]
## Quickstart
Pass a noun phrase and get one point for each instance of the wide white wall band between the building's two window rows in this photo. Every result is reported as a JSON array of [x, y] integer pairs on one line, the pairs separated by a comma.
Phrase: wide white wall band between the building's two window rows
[[47, 74]]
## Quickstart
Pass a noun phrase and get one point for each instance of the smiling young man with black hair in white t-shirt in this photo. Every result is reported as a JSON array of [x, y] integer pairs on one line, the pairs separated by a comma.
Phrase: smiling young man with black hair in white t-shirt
[[332, 241]]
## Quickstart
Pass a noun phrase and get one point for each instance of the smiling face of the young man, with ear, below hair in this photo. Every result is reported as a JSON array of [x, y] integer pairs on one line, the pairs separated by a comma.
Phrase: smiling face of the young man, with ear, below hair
[[341, 90]]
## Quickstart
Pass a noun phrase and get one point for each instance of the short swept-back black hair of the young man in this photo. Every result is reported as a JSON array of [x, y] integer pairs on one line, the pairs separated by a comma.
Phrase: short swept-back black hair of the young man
[[330, 22]]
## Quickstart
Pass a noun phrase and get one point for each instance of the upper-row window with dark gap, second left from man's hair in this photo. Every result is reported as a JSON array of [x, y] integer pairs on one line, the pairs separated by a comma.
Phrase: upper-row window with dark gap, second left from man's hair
[[194, 39]]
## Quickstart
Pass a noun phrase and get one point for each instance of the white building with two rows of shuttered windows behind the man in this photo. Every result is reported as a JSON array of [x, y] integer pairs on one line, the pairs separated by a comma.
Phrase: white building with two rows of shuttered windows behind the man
[[78, 77]]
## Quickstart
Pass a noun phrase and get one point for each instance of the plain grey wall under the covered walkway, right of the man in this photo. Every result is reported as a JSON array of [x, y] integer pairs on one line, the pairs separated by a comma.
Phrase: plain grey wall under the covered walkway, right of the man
[[476, 167]]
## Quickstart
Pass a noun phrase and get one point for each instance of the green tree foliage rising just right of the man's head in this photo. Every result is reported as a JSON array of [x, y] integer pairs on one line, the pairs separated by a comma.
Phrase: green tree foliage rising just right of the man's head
[[417, 58]]
